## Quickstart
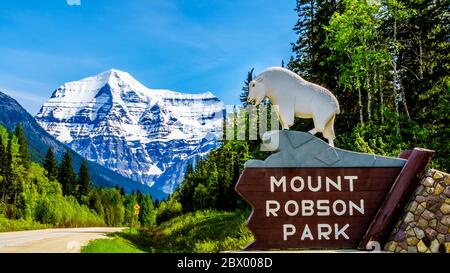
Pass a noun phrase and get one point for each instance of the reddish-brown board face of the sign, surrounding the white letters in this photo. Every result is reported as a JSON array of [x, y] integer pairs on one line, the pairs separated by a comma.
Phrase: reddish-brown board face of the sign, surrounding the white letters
[[254, 186]]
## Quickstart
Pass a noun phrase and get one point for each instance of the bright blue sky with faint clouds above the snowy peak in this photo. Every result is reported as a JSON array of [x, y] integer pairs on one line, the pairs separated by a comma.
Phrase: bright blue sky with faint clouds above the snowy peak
[[188, 46]]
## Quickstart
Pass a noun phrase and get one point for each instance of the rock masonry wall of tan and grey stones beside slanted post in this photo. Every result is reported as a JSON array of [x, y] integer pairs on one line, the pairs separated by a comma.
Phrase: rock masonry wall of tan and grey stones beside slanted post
[[425, 224]]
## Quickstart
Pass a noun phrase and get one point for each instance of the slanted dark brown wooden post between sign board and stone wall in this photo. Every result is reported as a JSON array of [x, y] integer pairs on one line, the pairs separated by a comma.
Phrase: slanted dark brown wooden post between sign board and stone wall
[[397, 197]]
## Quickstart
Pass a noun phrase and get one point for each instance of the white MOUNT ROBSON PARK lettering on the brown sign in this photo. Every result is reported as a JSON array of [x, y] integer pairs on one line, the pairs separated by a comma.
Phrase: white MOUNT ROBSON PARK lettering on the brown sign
[[317, 207]]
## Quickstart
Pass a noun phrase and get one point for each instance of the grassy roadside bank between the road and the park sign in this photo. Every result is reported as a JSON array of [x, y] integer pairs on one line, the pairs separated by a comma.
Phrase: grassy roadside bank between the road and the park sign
[[201, 231]]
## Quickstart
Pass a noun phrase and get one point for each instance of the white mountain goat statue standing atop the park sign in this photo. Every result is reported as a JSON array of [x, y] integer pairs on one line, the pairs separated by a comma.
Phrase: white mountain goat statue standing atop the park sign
[[296, 97]]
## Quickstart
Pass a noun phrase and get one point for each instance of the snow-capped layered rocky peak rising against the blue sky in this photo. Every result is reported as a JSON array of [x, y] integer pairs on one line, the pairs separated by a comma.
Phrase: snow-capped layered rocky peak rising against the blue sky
[[145, 134]]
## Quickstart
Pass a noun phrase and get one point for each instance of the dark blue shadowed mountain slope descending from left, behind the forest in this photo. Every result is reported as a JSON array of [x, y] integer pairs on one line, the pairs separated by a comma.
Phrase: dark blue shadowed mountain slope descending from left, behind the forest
[[39, 141]]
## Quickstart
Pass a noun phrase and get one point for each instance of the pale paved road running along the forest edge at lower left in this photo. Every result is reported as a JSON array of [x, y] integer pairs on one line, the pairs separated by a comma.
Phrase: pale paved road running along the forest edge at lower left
[[65, 240]]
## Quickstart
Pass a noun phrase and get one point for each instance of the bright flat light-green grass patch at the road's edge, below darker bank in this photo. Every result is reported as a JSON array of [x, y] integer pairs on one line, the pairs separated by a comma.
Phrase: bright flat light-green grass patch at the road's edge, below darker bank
[[115, 244]]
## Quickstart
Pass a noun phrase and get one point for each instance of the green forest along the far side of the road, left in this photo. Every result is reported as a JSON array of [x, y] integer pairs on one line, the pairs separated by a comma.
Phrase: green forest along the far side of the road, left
[[54, 195]]
